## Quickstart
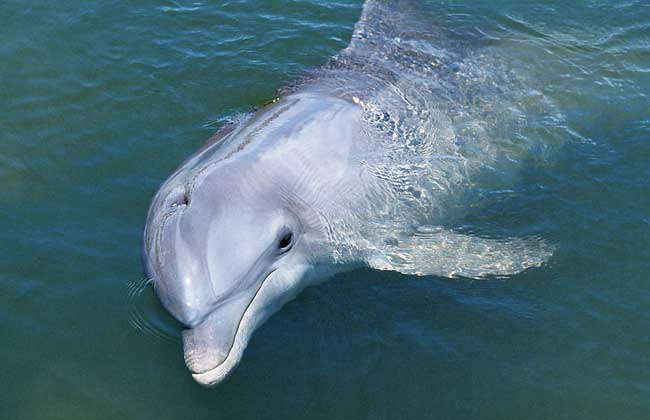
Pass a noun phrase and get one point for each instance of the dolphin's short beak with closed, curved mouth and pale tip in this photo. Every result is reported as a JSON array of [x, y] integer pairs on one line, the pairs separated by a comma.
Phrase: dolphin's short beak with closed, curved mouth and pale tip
[[213, 348]]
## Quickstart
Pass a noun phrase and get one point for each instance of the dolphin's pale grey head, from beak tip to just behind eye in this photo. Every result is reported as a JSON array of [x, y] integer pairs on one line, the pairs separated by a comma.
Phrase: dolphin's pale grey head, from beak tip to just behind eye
[[224, 254]]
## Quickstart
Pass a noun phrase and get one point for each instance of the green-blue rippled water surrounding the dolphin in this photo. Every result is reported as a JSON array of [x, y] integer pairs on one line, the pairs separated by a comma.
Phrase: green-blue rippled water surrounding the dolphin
[[102, 101]]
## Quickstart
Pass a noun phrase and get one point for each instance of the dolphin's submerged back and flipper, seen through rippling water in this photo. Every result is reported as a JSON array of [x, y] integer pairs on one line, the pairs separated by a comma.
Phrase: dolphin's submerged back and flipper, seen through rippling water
[[447, 117]]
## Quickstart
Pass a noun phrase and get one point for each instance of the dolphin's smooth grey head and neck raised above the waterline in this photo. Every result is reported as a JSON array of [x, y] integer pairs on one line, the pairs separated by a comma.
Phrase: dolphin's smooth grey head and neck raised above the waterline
[[242, 227]]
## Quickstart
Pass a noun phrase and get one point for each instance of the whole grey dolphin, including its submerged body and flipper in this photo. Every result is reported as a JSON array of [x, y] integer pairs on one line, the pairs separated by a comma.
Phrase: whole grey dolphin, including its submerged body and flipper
[[361, 164]]
